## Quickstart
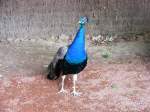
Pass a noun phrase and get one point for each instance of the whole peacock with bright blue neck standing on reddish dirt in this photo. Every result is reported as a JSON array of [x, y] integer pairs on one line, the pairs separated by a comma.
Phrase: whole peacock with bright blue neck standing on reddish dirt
[[70, 59]]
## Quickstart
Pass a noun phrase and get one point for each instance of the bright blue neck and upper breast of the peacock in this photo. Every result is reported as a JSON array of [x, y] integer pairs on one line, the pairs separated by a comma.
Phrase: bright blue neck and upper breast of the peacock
[[76, 52]]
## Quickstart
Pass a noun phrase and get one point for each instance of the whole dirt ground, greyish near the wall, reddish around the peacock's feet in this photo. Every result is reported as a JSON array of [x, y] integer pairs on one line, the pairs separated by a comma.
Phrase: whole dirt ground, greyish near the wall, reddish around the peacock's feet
[[119, 83]]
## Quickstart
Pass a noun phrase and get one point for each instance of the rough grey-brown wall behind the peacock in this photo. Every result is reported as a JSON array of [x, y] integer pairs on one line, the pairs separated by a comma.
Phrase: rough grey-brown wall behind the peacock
[[42, 18]]
